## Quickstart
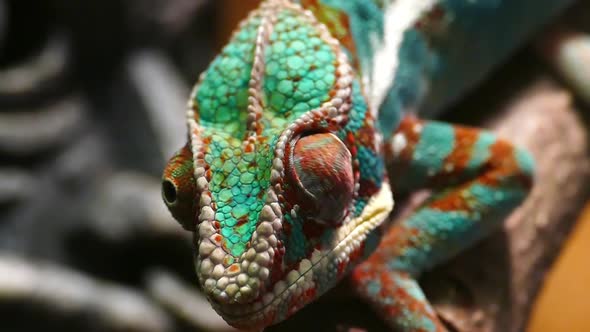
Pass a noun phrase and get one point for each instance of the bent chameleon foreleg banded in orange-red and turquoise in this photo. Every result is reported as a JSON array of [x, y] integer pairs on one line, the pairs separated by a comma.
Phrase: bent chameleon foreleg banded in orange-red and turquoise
[[476, 180]]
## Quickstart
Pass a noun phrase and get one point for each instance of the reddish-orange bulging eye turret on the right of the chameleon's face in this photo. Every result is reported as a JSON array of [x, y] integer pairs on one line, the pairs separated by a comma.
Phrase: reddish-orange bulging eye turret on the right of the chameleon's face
[[322, 176]]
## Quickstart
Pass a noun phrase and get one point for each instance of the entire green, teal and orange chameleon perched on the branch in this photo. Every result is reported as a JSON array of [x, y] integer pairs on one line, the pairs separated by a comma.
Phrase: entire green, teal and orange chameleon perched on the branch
[[304, 125]]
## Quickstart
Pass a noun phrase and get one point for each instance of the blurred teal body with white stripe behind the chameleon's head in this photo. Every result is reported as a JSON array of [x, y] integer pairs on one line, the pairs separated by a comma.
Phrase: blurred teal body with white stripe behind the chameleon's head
[[421, 55]]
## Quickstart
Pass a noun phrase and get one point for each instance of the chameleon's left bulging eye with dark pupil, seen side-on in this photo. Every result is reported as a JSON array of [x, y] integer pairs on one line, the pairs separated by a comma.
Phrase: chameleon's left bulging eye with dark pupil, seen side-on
[[178, 188]]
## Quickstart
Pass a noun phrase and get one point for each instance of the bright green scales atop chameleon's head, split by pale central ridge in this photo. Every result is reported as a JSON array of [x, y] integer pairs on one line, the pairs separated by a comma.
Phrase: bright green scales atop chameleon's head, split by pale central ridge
[[299, 74]]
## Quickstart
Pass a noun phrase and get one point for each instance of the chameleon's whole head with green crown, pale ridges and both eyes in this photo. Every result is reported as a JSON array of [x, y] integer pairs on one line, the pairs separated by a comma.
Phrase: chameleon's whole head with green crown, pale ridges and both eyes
[[281, 180]]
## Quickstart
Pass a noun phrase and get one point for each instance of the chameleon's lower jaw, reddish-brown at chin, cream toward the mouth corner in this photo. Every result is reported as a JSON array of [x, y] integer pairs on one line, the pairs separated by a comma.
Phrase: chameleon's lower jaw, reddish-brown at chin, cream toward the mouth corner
[[314, 275]]
